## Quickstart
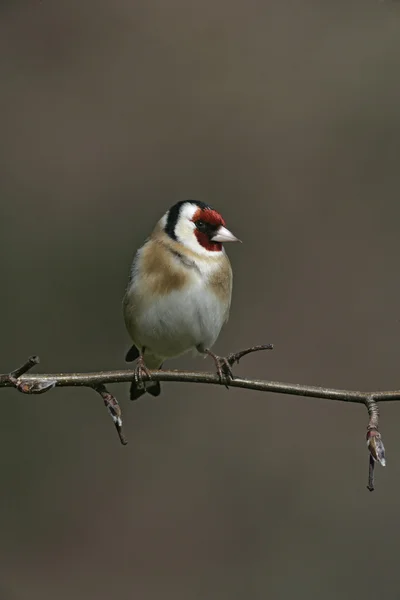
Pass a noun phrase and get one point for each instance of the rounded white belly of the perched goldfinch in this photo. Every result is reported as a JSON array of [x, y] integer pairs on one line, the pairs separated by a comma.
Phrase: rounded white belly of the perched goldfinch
[[181, 321]]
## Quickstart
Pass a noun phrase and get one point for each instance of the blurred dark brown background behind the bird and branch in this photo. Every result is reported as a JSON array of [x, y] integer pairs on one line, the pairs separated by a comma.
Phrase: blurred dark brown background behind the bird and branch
[[285, 117]]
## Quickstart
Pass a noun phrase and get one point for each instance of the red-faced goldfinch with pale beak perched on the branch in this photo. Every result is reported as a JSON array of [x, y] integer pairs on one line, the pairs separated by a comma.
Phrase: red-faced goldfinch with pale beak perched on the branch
[[179, 292]]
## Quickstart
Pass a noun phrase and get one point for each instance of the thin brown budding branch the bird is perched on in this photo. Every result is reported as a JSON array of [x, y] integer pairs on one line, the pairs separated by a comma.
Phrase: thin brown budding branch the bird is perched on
[[38, 384]]
